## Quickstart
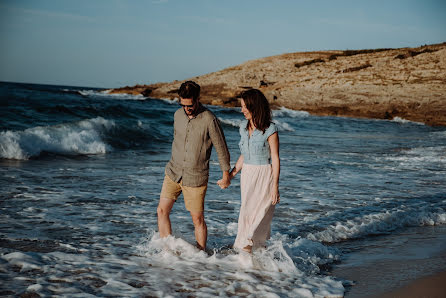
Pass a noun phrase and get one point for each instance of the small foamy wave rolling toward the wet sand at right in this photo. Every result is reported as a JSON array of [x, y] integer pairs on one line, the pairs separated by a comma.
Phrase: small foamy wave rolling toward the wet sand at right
[[379, 223]]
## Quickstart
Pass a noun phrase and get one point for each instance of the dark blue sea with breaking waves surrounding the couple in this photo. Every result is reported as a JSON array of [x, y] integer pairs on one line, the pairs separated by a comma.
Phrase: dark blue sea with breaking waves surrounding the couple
[[80, 177]]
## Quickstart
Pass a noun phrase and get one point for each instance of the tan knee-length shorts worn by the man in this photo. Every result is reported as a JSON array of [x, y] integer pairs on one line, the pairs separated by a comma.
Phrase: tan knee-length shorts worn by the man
[[193, 196]]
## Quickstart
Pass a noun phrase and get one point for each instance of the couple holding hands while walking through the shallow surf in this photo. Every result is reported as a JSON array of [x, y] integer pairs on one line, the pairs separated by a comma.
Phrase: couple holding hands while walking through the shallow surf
[[196, 131]]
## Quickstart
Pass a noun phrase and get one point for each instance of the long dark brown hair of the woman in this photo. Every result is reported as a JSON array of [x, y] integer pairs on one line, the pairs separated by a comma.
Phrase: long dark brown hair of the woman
[[258, 105]]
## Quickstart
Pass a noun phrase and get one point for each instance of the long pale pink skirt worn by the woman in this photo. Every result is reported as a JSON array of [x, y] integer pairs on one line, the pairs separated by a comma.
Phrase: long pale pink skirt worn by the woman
[[256, 211]]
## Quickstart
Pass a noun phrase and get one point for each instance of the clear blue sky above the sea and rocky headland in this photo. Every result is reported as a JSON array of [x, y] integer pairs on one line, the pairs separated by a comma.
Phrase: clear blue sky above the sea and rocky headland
[[114, 43]]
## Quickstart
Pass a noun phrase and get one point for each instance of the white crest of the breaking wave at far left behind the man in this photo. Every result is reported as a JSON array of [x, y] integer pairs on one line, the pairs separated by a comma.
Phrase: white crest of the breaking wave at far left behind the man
[[83, 137]]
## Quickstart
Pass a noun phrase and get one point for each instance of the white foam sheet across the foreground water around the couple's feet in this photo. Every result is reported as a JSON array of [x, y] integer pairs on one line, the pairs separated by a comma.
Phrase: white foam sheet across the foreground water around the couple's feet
[[171, 266]]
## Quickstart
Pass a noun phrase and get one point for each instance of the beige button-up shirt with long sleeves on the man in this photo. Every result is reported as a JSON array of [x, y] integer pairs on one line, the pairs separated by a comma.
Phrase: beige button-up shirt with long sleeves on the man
[[192, 147]]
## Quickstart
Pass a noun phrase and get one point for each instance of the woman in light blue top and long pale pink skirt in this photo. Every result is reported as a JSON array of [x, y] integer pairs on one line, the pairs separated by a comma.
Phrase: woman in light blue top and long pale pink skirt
[[259, 146]]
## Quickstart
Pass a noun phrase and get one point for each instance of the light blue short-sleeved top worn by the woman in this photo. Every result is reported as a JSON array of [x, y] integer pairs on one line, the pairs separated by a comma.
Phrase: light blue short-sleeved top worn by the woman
[[255, 149]]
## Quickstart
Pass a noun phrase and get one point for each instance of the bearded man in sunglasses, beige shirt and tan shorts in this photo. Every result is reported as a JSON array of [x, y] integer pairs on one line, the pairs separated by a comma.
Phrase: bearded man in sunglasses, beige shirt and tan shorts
[[196, 131]]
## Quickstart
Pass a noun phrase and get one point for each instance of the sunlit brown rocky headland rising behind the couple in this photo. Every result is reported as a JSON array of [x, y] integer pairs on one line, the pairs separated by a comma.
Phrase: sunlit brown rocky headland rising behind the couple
[[409, 83]]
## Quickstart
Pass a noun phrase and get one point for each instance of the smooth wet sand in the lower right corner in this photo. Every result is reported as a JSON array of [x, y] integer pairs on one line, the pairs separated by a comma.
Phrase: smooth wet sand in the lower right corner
[[393, 264]]
